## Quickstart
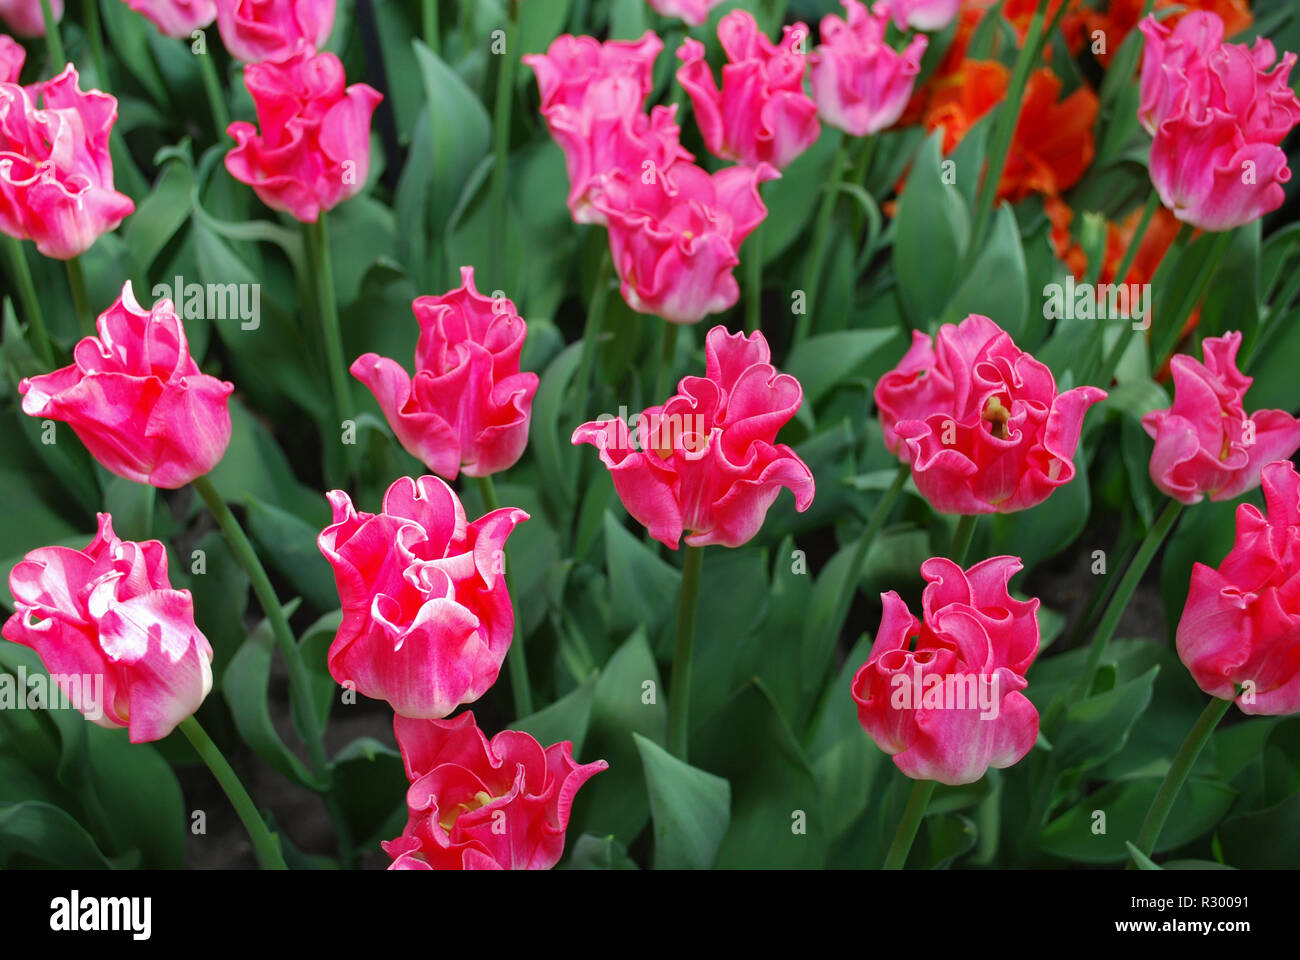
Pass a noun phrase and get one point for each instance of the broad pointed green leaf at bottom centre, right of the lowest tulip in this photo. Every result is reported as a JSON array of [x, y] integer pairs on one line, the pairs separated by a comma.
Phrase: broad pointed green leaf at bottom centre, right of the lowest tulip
[[691, 810]]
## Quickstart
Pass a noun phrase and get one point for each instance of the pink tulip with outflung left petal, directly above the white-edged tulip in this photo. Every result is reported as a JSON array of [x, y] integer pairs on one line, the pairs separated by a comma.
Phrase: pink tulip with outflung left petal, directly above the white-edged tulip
[[469, 405]]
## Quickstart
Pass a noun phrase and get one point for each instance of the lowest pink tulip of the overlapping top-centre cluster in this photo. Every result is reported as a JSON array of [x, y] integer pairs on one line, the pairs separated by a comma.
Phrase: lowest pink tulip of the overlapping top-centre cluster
[[677, 239]]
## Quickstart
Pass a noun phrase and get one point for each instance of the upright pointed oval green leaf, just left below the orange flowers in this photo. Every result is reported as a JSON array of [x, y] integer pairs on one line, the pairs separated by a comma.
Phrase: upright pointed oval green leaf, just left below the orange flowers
[[933, 231]]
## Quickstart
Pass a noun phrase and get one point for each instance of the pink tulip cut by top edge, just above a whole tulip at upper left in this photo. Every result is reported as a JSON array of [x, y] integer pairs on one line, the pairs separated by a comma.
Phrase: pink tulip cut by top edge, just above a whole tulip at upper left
[[272, 31]]
